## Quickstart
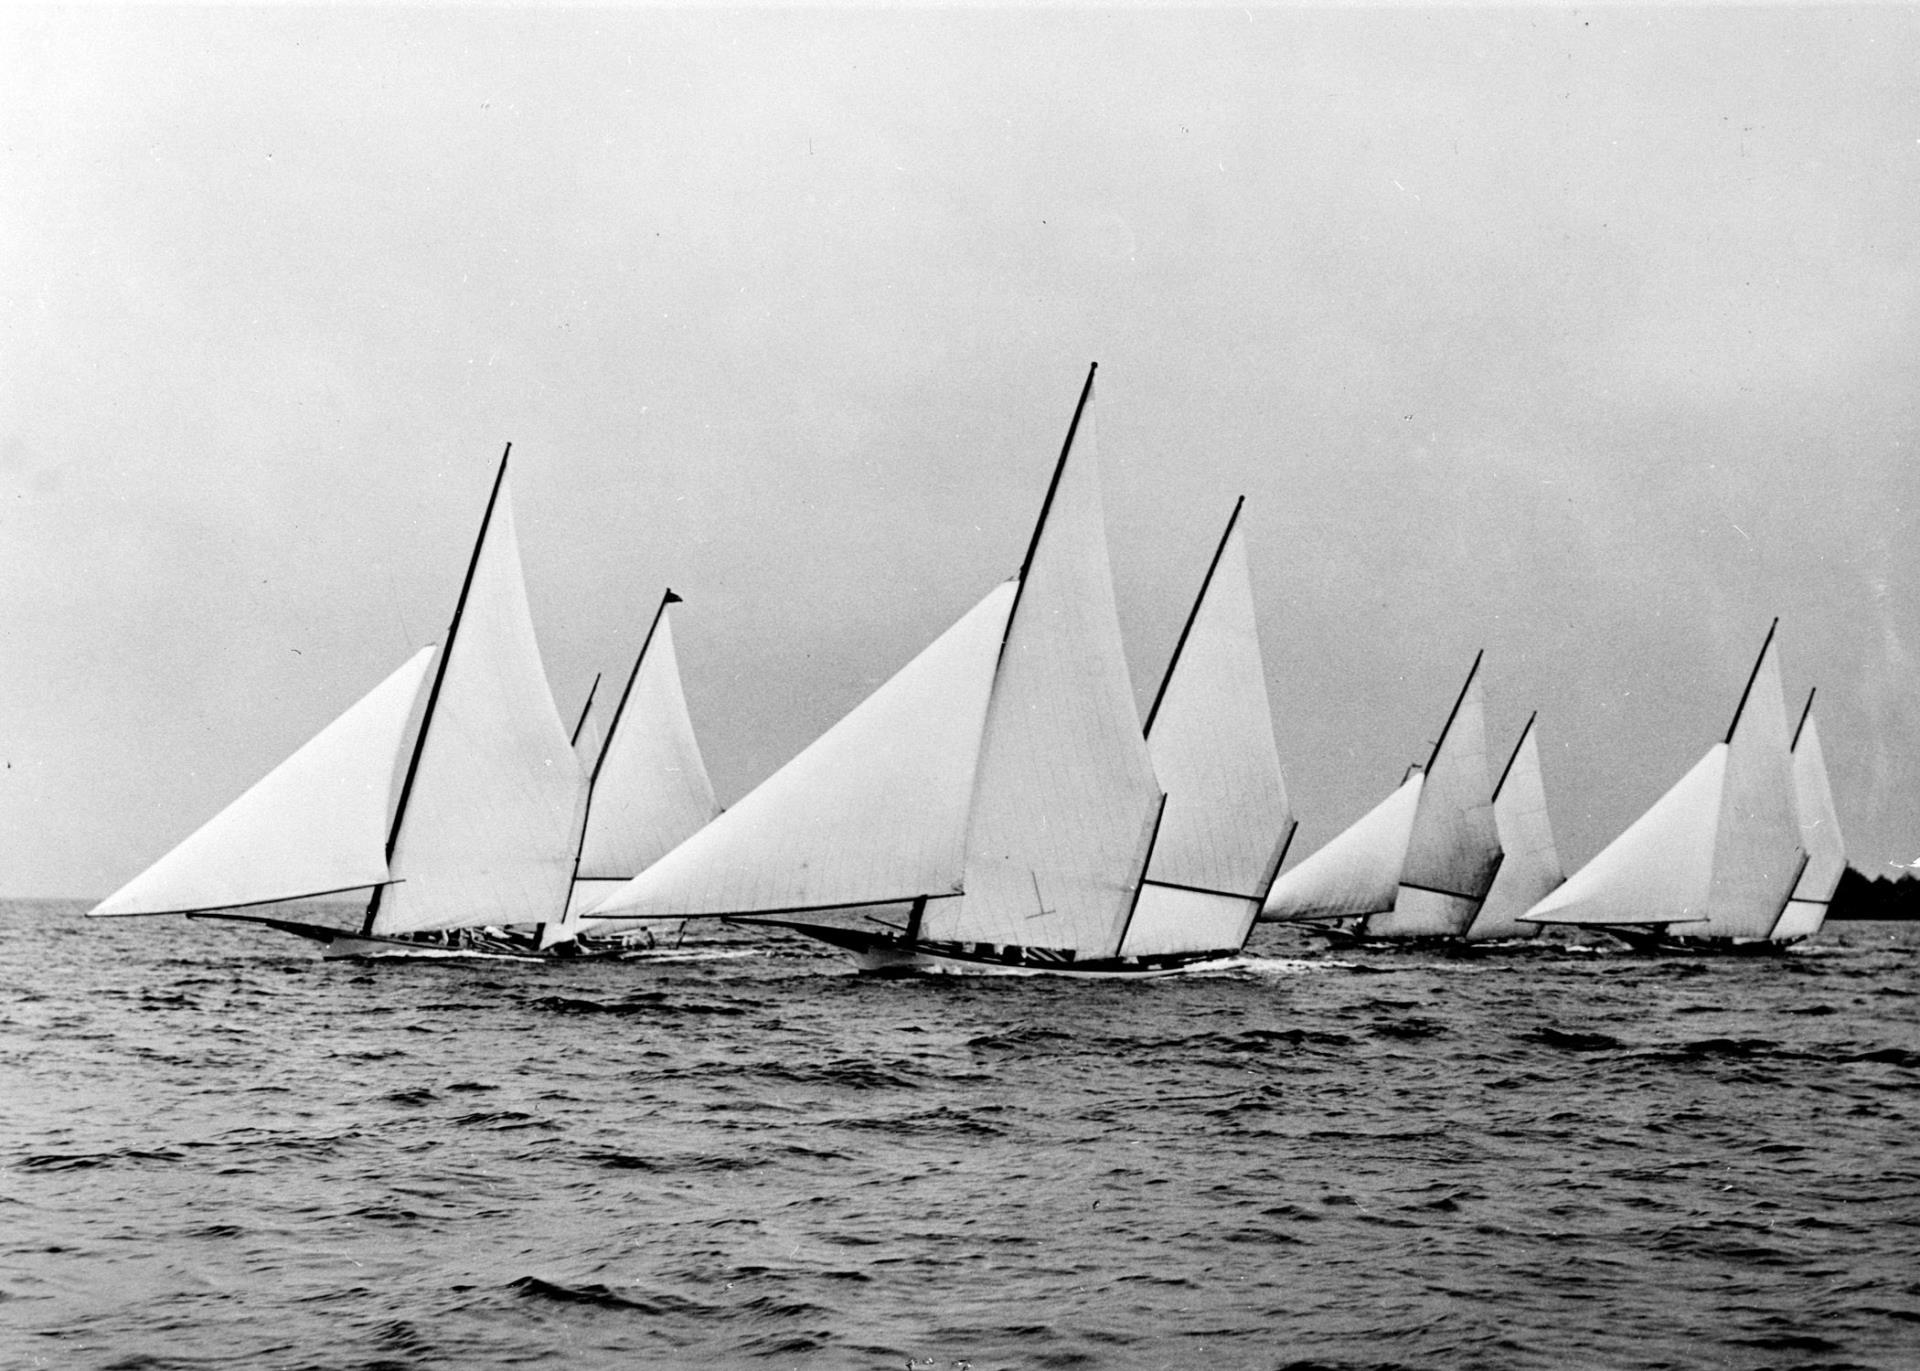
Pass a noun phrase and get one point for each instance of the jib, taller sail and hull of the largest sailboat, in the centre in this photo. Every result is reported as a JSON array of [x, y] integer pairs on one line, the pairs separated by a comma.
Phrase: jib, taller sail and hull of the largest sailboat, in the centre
[[997, 792]]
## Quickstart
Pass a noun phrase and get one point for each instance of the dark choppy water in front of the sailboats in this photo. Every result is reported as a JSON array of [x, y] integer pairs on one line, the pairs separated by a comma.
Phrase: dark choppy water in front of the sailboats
[[222, 1153]]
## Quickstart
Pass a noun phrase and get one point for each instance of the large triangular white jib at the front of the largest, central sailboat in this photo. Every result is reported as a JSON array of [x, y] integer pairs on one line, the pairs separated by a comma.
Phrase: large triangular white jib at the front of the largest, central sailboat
[[873, 811]]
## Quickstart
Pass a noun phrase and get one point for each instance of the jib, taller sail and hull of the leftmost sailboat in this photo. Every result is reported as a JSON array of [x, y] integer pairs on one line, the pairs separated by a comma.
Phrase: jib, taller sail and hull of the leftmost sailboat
[[450, 792]]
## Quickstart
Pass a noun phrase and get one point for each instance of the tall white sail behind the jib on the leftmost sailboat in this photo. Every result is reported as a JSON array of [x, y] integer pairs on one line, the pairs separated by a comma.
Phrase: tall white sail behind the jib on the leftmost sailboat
[[491, 823]]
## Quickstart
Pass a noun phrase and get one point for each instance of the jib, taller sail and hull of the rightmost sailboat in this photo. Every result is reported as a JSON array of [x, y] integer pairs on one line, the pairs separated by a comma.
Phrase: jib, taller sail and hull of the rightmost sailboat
[[1714, 865]]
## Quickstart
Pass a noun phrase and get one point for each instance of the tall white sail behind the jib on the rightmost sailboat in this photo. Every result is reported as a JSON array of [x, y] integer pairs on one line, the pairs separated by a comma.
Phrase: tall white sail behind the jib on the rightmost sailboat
[[1758, 850]]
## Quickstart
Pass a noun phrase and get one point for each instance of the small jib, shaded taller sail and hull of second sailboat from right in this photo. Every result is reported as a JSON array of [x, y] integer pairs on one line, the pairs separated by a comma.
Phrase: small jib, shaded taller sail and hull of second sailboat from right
[[1422, 861]]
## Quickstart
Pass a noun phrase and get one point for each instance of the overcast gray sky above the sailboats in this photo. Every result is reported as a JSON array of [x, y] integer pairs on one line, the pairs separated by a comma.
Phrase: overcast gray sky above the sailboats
[[1587, 337]]
